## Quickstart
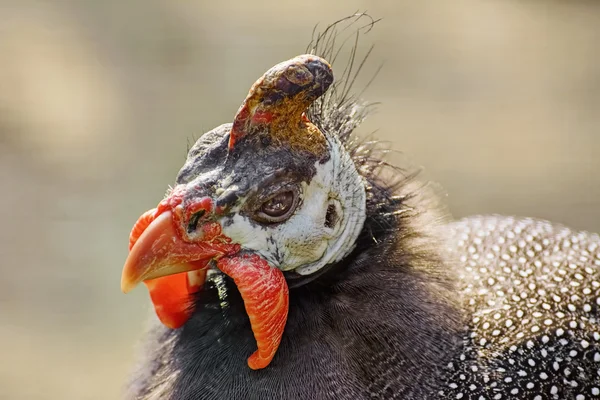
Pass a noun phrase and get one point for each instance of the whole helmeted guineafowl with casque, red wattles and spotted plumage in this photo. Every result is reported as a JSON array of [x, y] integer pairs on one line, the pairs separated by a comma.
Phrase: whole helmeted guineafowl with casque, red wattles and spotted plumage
[[289, 240]]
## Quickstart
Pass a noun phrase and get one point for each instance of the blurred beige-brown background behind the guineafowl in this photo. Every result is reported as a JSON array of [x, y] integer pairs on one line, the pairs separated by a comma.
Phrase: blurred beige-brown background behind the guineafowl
[[498, 99]]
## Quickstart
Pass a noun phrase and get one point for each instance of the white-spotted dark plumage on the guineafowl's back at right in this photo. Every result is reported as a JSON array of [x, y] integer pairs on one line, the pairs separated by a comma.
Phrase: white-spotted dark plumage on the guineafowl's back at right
[[532, 292]]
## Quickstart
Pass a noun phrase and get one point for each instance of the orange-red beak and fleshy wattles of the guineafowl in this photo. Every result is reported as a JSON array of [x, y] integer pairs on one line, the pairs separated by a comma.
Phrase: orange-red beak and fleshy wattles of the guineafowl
[[173, 268]]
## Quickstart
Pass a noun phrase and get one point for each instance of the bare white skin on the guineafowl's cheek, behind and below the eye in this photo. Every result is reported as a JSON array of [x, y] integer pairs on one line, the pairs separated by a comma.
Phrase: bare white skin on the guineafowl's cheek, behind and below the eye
[[304, 243]]
